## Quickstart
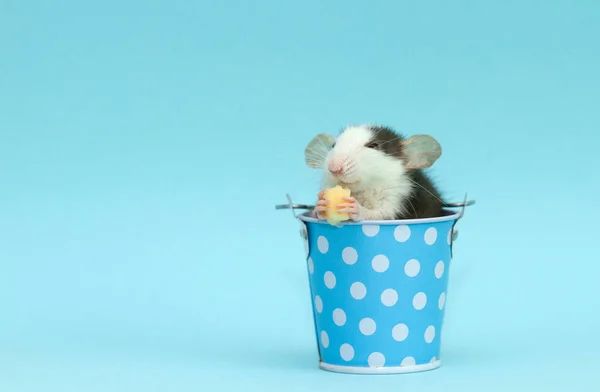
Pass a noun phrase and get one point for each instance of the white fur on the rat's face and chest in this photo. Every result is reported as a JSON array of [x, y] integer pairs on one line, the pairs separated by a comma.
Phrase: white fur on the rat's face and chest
[[377, 181]]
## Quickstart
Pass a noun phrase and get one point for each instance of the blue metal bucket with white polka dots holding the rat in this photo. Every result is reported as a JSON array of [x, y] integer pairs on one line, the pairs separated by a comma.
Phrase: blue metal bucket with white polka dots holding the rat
[[378, 291]]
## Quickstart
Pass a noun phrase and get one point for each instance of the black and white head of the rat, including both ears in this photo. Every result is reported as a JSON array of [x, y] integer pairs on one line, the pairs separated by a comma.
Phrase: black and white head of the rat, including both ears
[[365, 154]]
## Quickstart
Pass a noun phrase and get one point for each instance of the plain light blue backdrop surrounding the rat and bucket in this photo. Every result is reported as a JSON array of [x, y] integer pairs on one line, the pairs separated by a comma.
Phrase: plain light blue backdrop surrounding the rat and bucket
[[144, 144]]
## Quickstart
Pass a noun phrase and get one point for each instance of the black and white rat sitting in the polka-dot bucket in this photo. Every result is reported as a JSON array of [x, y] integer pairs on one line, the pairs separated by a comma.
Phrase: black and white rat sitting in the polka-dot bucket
[[382, 169]]
